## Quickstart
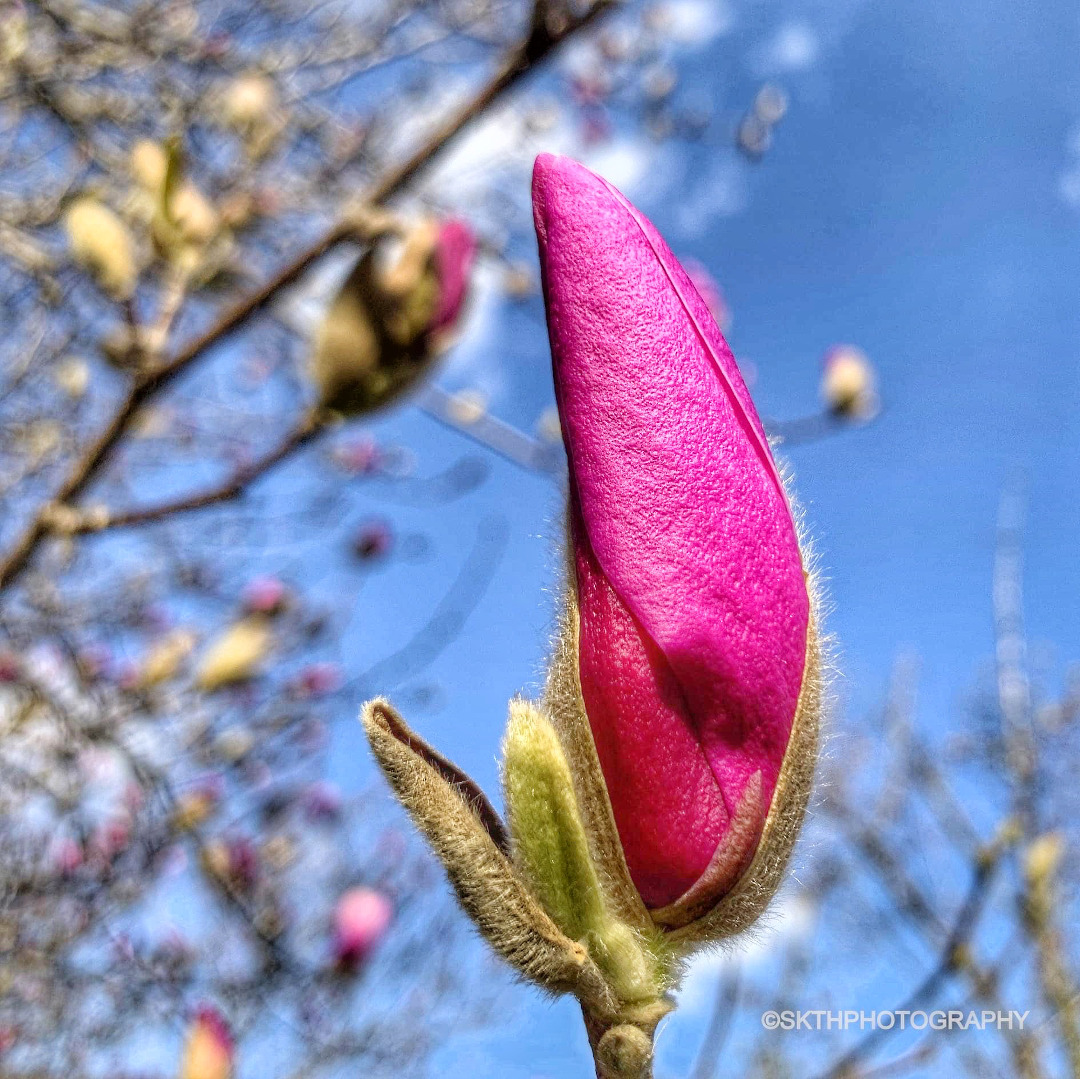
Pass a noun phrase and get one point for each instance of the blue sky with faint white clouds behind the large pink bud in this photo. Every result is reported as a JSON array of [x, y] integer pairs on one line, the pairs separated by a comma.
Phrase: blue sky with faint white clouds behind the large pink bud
[[922, 201]]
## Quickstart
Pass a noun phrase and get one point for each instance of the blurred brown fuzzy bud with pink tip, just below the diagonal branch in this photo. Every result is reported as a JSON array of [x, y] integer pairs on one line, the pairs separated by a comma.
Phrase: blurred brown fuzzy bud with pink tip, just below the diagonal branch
[[393, 317]]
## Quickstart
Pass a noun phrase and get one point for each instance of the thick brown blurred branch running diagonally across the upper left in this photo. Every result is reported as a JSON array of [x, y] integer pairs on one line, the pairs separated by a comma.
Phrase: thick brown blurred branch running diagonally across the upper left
[[551, 24]]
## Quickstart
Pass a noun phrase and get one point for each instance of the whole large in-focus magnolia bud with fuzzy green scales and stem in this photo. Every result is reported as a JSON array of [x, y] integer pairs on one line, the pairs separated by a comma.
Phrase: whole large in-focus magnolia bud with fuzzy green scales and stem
[[656, 793]]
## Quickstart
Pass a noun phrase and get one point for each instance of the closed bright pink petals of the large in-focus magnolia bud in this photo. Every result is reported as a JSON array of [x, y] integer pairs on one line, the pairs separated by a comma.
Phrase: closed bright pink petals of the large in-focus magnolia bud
[[695, 636]]
